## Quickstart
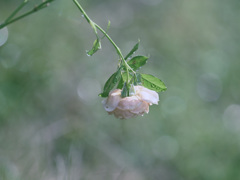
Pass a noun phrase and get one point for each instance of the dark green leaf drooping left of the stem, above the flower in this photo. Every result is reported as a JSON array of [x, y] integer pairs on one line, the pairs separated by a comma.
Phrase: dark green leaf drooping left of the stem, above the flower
[[111, 82]]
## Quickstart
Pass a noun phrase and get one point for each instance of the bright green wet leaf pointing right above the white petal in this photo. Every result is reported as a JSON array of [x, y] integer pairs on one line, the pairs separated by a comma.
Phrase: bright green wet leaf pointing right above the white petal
[[153, 83]]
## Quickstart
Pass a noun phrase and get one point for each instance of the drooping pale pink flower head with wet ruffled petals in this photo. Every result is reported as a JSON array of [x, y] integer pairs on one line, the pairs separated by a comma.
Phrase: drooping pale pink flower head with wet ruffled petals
[[131, 106]]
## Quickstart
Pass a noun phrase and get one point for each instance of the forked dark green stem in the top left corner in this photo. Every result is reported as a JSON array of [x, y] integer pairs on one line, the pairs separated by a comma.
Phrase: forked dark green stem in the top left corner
[[9, 20]]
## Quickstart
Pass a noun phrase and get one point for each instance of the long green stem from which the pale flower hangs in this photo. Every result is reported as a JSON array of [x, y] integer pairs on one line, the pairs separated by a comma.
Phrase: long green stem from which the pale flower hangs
[[94, 25]]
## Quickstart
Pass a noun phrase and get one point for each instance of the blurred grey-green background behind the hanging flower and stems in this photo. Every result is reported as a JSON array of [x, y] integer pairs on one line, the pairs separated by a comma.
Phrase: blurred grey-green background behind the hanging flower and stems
[[53, 125]]
